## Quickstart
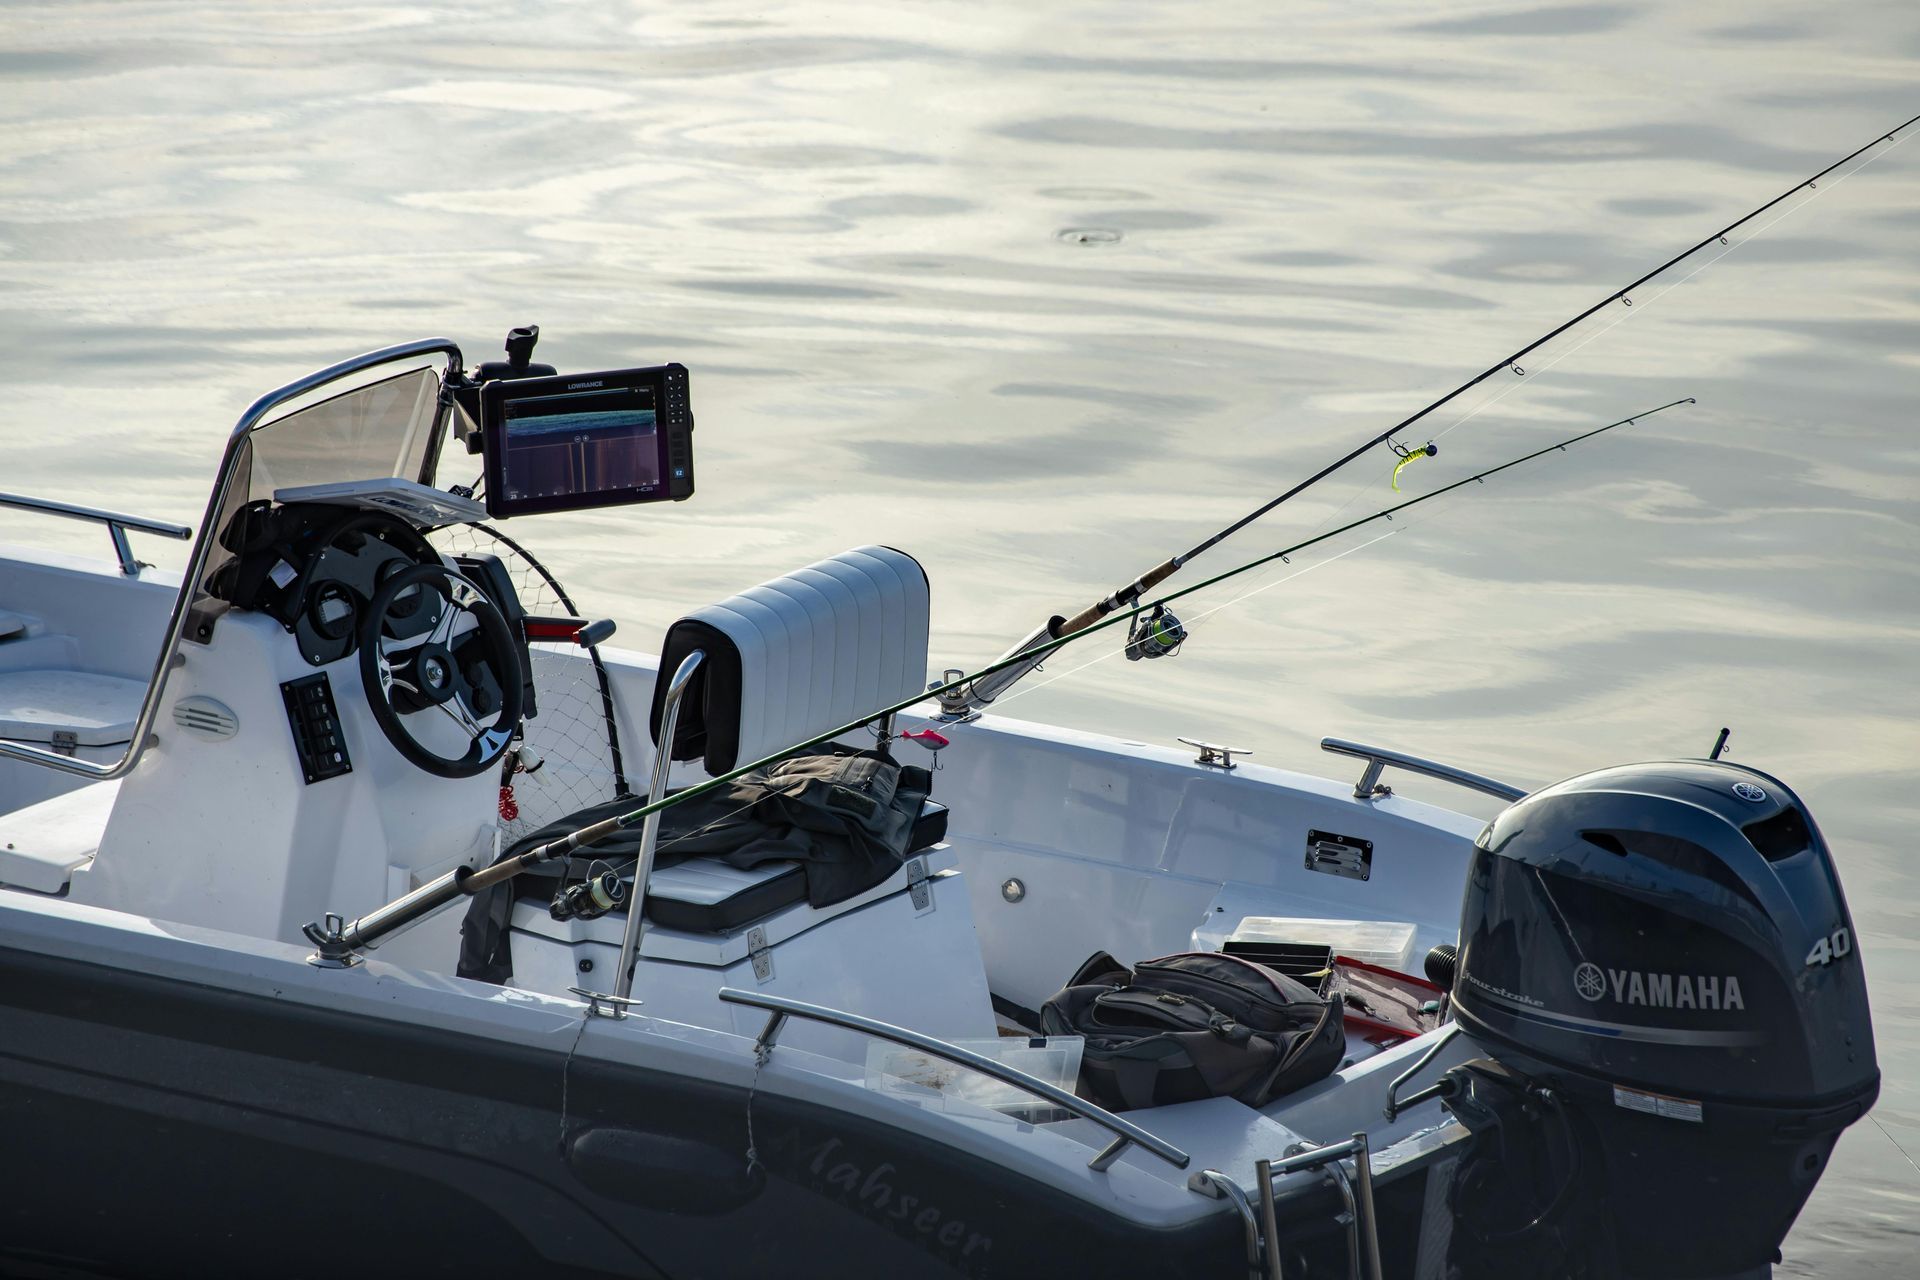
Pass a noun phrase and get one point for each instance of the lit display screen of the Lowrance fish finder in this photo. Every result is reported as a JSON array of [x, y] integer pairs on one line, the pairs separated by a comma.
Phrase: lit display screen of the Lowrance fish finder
[[581, 442]]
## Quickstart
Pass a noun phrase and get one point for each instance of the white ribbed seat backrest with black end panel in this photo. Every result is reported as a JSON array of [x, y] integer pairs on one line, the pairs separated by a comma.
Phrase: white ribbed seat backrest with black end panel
[[800, 655]]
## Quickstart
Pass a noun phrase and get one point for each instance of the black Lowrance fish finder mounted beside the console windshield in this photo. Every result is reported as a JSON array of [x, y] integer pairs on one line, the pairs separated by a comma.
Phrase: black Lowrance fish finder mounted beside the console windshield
[[587, 440]]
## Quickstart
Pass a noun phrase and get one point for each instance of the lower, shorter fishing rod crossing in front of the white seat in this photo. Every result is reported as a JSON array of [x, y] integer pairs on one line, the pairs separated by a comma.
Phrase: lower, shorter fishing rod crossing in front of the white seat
[[569, 845]]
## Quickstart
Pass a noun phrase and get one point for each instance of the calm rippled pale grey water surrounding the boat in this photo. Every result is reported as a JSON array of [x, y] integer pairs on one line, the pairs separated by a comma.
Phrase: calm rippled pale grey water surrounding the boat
[[1045, 293]]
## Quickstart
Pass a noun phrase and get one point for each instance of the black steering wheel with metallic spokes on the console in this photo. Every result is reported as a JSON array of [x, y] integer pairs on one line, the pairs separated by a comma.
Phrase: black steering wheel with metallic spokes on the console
[[468, 676]]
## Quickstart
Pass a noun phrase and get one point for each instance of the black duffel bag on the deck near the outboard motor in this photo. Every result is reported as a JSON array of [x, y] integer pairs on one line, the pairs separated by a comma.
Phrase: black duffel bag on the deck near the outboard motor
[[1195, 1026]]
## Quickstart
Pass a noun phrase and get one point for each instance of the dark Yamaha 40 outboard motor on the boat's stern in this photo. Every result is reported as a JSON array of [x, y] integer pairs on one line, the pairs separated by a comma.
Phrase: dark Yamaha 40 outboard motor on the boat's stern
[[1664, 960]]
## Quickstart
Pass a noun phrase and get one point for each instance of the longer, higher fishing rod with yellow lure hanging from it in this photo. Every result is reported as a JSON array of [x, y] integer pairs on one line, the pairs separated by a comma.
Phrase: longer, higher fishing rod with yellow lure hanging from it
[[1028, 653]]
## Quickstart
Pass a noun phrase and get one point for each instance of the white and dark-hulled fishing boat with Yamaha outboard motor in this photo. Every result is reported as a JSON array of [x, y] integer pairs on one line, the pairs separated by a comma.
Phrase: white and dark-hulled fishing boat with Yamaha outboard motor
[[350, 916]]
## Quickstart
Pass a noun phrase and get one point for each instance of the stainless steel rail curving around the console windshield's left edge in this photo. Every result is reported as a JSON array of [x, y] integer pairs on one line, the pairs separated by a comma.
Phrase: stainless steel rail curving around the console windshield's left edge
[[197, 563]]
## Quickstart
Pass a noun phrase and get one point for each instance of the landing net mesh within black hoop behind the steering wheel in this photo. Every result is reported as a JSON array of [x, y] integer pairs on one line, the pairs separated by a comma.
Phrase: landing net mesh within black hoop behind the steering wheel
[[573, 738]]
